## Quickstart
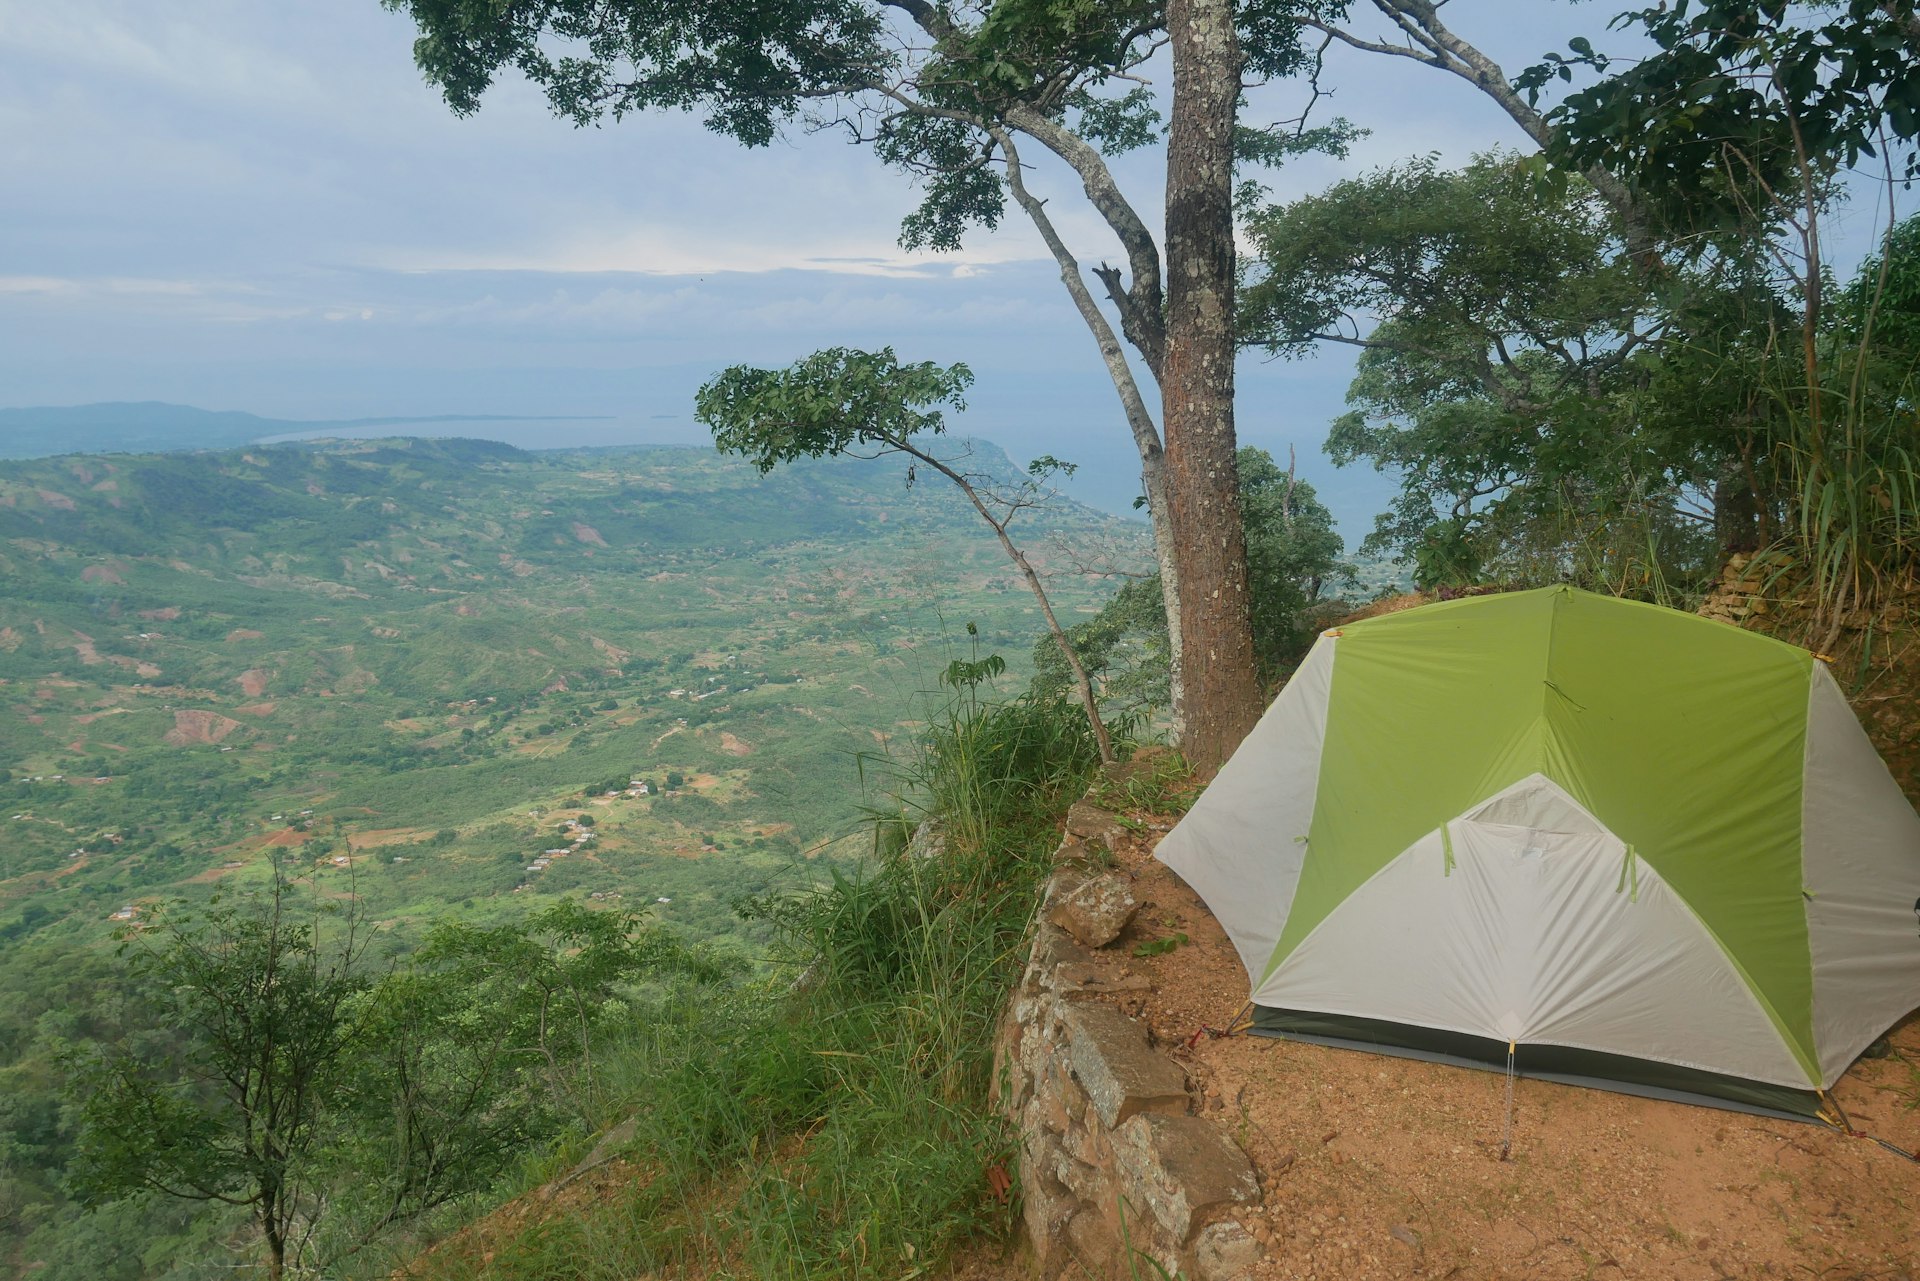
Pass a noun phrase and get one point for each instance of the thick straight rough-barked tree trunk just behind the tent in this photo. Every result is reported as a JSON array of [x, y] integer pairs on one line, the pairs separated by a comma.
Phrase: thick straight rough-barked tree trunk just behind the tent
[[1220, 690]]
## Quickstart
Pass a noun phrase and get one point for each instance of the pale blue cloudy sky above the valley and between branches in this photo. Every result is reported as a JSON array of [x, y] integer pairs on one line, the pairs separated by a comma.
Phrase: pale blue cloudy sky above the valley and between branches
[[262, 206]]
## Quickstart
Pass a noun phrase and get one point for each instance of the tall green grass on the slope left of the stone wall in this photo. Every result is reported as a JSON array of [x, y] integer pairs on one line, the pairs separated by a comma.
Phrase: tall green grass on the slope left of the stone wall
[[832, 1121]]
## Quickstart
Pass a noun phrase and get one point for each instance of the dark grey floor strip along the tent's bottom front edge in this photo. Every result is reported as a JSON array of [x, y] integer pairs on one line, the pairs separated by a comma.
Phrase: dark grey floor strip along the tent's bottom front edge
[[1543, 1063]]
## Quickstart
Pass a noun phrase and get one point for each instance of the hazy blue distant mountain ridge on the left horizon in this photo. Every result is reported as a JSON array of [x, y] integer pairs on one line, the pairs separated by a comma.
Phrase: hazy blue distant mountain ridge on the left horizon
[[151, 425]]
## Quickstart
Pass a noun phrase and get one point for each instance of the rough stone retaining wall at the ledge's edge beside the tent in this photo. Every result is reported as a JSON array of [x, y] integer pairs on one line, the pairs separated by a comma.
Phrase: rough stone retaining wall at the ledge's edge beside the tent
[[1113, 1161]]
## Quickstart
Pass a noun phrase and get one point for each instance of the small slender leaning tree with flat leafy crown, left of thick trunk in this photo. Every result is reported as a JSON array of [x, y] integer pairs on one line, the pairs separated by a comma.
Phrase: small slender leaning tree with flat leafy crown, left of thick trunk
[[844, 402]]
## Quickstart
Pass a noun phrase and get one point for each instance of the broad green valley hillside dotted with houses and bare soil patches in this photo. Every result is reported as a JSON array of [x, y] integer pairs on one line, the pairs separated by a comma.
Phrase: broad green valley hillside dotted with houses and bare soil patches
[[420, 667]]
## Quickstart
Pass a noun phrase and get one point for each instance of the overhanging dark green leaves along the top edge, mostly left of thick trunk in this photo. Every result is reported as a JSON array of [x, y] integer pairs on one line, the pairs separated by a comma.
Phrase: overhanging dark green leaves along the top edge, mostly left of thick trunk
[[926, 105]]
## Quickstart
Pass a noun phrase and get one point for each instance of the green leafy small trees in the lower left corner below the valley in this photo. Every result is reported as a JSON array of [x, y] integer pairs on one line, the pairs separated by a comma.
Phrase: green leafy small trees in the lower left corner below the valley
[[335, 1105]]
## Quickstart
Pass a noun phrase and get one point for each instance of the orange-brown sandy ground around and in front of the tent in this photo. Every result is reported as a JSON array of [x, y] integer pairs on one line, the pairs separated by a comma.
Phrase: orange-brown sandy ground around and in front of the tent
[[1381, 1167]]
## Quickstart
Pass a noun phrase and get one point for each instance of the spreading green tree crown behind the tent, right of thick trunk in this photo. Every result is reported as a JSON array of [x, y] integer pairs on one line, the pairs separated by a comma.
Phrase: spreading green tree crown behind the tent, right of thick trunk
[[1502, 370]]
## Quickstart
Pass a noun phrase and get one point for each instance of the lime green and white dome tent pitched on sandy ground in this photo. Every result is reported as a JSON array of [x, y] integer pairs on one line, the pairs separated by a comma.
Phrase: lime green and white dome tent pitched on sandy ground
[[1627, 846]]
